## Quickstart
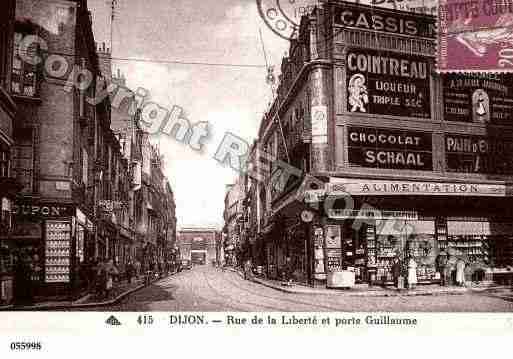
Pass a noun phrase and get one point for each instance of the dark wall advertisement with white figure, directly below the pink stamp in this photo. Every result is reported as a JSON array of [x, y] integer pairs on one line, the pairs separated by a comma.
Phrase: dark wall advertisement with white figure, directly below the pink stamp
[[479, 98]]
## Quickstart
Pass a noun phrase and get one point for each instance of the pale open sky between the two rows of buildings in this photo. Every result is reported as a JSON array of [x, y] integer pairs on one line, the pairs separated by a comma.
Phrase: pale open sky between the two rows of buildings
[[229, 98]]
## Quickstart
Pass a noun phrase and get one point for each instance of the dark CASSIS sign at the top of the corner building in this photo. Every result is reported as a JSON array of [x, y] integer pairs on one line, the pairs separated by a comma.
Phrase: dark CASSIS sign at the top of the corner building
[[375, 19]]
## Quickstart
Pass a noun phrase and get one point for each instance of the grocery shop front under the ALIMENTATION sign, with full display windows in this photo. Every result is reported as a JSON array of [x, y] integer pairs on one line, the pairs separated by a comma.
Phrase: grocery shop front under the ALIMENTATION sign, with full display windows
[[365, 224]]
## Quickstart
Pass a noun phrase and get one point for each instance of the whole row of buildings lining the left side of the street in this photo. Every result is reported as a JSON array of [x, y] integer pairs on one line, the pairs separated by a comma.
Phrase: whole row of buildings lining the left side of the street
[[72, 193]]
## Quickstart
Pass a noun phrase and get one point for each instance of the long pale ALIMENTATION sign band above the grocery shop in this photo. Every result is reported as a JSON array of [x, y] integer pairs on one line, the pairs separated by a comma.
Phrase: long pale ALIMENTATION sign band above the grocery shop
[[361, 186]]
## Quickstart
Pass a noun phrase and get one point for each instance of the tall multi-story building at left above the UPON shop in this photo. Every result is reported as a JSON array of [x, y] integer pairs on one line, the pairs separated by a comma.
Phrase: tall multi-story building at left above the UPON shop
[[55, 137]]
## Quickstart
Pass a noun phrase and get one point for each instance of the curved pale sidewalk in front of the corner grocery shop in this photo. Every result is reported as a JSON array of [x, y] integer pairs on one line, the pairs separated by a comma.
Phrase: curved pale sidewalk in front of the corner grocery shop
[[361, 290]]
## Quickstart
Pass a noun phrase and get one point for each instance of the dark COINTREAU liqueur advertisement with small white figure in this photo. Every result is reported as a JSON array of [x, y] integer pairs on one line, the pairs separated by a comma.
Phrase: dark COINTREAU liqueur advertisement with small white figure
[[387, 83]]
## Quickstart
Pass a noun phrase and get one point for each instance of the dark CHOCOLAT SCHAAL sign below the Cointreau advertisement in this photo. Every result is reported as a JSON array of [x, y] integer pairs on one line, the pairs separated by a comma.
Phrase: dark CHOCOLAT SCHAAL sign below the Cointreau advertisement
[[393, 149]]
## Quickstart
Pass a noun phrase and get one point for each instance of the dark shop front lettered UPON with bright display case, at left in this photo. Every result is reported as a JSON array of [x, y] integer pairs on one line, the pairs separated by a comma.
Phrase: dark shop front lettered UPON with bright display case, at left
[[43, 236]]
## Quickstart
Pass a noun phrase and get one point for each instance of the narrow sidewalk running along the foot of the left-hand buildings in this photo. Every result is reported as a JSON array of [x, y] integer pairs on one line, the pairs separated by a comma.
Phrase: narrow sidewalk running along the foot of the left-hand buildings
[[120, 291]]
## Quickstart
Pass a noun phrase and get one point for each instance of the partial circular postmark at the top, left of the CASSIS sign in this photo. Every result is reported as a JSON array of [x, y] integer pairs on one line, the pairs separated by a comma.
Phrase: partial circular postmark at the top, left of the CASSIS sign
[[283, 16]]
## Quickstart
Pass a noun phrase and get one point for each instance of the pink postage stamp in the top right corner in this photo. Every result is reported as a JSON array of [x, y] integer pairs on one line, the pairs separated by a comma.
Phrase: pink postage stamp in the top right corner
[[475, 35]]
